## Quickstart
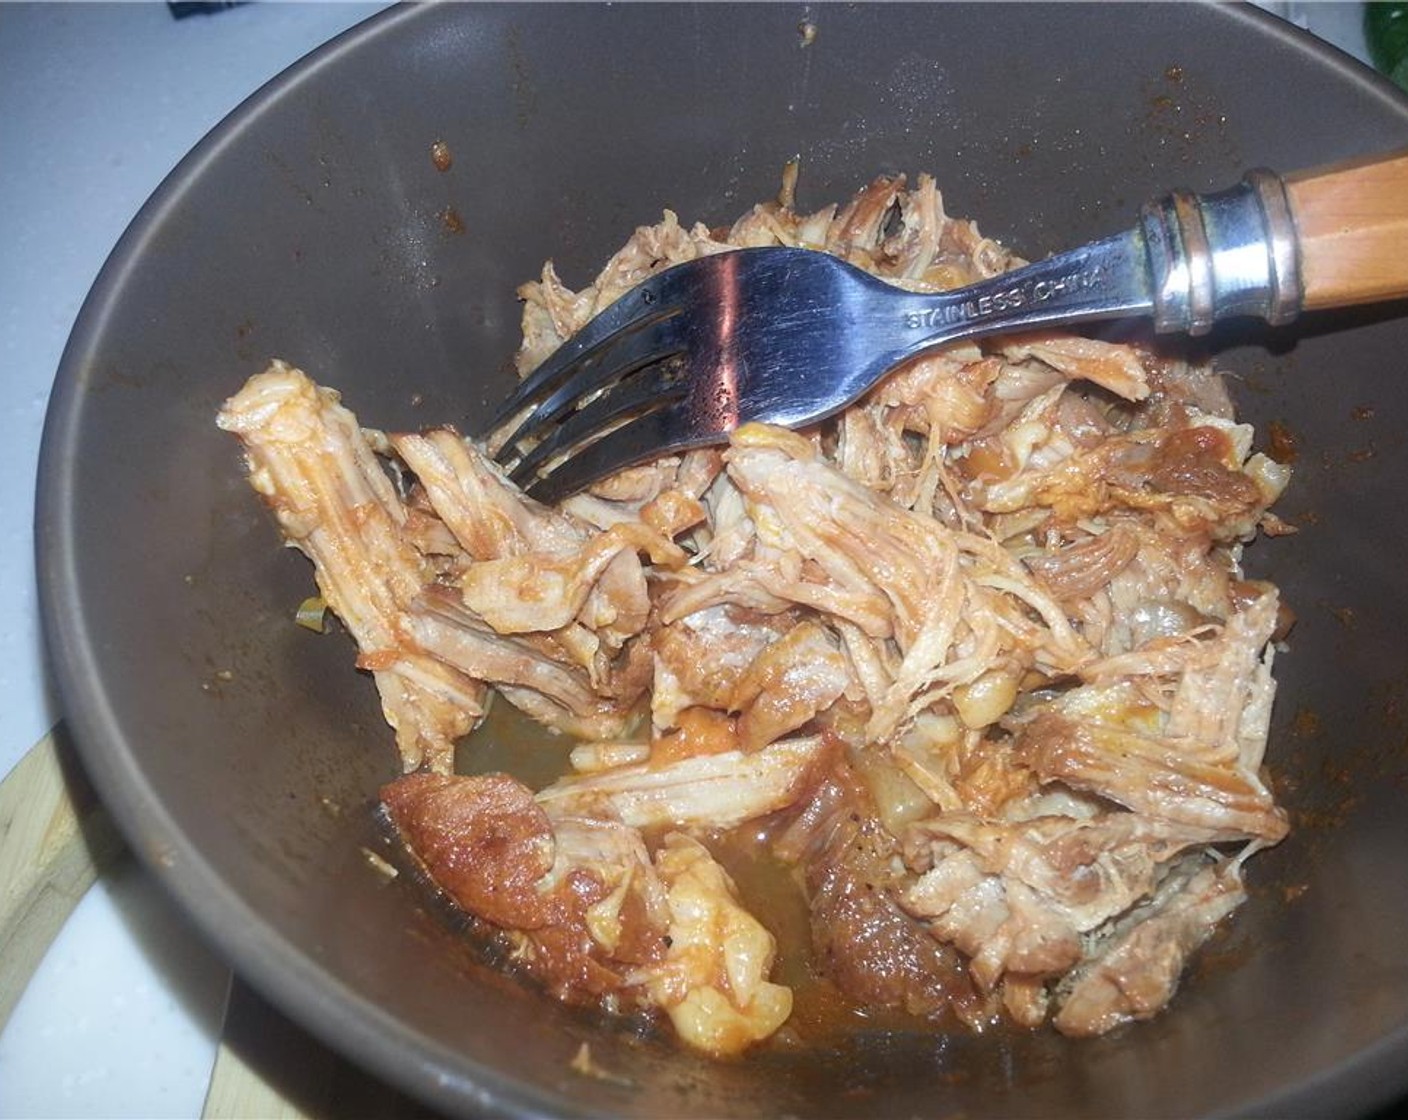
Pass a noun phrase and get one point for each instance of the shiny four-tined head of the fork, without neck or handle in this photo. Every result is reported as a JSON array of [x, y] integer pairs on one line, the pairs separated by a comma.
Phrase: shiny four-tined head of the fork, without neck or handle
[[775, 335]]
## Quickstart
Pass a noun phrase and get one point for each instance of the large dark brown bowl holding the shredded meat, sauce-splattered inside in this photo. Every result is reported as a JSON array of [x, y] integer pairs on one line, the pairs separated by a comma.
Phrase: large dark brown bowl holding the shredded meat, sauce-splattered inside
[[241, 754]]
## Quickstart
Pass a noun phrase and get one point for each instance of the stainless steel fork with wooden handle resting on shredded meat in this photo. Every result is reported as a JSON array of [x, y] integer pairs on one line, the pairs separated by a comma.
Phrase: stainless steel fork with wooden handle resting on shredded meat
[[793, 336]]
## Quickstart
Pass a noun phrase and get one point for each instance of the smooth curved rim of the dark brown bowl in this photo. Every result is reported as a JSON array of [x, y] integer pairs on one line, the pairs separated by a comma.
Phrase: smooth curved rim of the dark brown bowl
[[291, 980]]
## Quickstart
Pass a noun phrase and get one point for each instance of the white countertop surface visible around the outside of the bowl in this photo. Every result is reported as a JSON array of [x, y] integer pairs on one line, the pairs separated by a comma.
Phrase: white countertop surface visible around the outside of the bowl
[[98, 104]]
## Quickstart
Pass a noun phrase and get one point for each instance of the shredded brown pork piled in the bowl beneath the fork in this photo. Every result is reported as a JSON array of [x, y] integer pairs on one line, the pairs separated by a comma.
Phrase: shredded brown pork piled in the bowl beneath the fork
[[978, 656]]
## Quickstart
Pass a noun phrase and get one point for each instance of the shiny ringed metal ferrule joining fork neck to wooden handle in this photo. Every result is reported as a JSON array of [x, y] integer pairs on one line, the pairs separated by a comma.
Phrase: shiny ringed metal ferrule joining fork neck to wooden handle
[[1226, 254]]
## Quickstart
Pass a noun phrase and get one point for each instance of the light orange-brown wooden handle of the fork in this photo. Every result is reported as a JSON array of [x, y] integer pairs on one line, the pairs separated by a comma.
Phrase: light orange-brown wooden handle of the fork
[[1352, 226]]
